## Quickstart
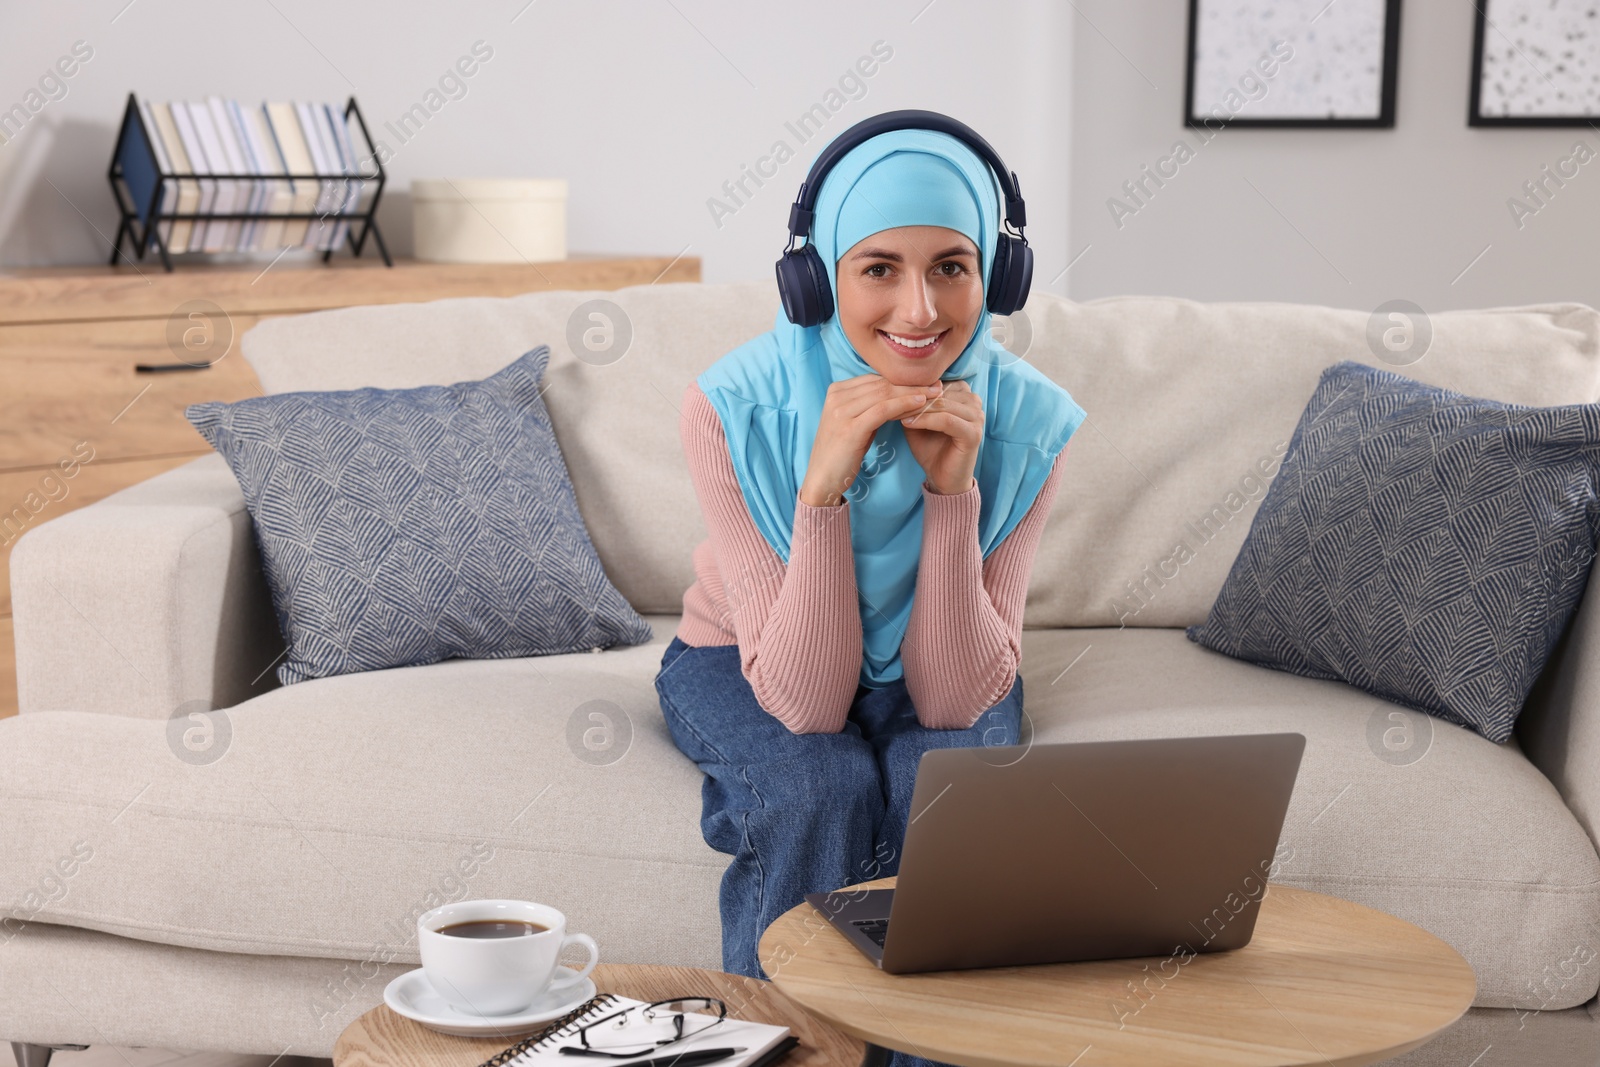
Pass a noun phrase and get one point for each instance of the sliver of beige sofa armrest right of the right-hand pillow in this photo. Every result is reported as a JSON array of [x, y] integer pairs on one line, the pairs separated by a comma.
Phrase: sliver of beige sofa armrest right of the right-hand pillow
[[1559, 729]]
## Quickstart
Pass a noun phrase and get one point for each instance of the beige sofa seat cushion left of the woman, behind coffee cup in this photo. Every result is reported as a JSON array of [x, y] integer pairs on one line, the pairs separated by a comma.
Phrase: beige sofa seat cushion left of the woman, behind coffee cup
[[322, 818]]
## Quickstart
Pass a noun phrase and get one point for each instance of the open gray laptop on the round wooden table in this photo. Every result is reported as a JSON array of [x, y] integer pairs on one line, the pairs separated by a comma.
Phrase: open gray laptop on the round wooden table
[[1055, 853]]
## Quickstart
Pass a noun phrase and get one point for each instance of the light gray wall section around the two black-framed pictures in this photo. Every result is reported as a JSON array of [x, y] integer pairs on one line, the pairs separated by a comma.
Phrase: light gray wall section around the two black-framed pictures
[[1350, 218]]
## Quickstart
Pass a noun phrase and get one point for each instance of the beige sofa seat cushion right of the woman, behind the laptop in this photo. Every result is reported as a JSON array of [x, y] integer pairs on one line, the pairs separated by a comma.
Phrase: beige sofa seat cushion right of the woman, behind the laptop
[[1393, 809]]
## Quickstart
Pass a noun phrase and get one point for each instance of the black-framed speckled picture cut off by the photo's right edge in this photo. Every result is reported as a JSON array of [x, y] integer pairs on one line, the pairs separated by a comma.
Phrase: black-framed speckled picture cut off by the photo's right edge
[[1535, 63]]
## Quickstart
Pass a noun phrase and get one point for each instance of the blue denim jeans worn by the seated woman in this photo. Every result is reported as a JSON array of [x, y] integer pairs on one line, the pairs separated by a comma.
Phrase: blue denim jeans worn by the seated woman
[[801, 813]]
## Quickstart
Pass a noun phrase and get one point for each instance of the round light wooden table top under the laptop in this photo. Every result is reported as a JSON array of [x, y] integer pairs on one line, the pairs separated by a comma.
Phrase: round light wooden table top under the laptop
[[1322, 981]]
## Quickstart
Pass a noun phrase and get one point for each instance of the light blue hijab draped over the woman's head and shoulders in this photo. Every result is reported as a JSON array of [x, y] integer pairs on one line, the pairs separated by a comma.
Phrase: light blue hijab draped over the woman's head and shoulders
[[769, 393]]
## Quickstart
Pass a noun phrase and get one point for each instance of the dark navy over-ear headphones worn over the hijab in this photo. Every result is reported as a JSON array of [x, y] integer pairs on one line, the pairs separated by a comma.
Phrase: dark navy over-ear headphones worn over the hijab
[[804, 278]]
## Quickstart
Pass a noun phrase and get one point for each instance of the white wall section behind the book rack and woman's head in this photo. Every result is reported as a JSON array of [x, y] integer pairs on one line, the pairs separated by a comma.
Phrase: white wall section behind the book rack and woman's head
[[646, 106]]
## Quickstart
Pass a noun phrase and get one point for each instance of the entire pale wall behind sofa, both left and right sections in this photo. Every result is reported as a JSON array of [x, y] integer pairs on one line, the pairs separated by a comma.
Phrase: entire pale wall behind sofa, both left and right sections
[[647, 108]]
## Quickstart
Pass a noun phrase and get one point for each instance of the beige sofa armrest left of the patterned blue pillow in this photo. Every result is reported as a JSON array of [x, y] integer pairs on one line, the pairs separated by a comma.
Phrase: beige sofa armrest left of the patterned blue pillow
[[146, 601]]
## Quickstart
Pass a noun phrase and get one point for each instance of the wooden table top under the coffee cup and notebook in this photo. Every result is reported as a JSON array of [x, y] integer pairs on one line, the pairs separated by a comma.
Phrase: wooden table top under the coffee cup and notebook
[[383, 1039]]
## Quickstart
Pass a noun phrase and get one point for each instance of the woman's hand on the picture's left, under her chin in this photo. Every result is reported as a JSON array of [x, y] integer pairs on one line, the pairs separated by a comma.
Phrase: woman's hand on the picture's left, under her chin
[[852, 414]]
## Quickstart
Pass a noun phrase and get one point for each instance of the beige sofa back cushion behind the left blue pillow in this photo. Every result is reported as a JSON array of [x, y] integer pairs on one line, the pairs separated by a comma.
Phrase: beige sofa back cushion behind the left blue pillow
[[615, 412]]
